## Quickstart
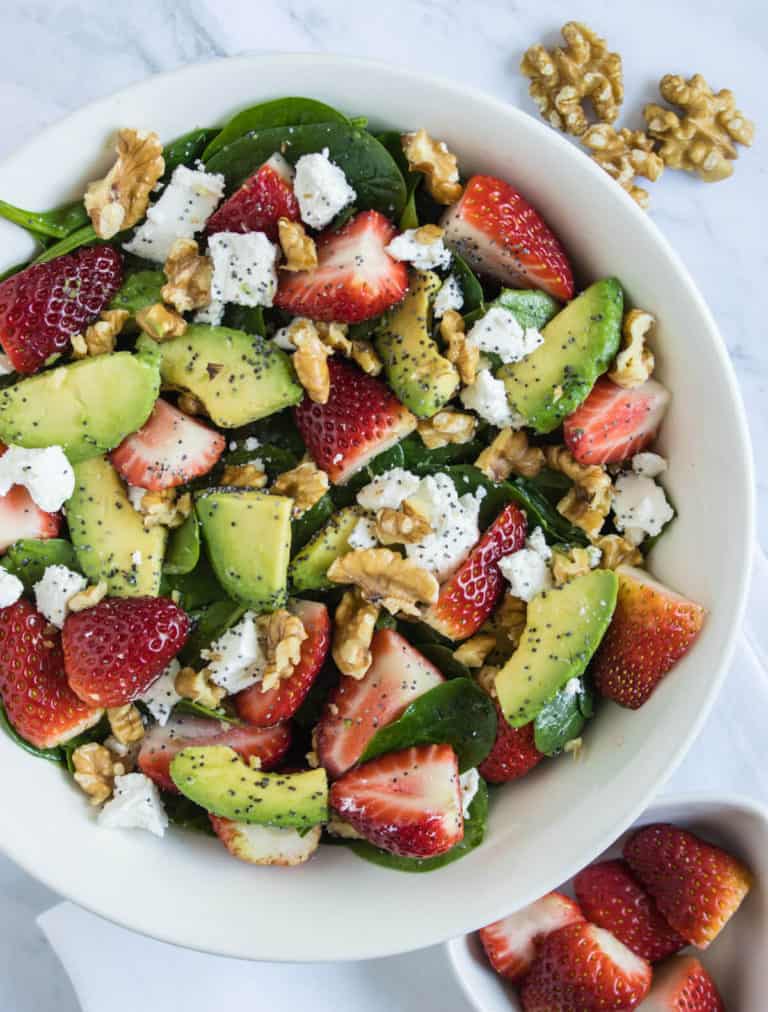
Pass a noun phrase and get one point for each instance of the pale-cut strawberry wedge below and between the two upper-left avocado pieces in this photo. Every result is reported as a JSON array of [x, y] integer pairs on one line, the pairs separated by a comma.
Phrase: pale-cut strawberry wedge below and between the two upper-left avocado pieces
[[170, 449]]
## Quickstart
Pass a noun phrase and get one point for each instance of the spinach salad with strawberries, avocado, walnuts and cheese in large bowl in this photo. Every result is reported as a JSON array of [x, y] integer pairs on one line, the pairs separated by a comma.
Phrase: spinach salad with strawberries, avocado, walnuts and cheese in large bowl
[[325, 494]]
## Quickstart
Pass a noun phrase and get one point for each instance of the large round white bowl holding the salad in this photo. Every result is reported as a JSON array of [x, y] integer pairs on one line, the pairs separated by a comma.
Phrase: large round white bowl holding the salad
[[187, 890]]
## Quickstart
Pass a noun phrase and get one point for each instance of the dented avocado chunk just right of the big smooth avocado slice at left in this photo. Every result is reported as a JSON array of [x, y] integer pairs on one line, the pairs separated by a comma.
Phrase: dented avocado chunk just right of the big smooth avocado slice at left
[[239, 378]]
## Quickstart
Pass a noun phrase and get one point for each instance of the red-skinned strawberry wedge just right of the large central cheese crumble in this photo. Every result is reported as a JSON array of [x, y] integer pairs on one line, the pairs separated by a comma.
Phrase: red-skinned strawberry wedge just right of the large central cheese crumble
[[469, 598]]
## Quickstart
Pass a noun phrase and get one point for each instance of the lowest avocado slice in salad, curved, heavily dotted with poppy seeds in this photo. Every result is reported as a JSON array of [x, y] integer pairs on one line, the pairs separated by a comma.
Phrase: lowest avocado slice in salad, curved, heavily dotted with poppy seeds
[[217, 779]]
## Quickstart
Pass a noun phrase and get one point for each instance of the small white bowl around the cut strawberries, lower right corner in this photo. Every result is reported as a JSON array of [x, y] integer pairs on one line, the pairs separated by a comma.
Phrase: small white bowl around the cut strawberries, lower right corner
[[739, 825]]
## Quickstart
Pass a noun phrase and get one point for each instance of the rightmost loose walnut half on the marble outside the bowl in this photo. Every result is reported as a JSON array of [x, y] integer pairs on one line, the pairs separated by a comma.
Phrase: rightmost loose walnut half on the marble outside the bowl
[[703, 140]]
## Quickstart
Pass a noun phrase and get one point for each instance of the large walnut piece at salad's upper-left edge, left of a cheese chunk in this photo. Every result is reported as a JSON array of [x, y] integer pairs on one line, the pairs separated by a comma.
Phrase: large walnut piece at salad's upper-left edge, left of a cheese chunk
[[120, 200]]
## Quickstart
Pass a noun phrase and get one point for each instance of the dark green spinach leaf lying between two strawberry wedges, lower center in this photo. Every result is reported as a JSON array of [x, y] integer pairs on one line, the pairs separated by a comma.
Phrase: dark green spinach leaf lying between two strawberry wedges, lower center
[[458, 713]]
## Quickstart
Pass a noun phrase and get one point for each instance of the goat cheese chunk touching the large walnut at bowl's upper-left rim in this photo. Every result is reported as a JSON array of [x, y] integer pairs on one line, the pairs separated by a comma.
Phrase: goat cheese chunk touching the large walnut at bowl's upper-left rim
[[183, 210]]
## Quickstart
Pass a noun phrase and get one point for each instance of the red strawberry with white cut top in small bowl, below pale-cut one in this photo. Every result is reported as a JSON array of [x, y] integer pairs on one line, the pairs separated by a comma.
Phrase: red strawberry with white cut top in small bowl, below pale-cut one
[[581, 968]]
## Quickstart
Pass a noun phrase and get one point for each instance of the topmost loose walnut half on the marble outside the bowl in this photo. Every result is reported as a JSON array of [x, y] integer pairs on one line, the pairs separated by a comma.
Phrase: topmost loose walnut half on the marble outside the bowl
[[562, 79]]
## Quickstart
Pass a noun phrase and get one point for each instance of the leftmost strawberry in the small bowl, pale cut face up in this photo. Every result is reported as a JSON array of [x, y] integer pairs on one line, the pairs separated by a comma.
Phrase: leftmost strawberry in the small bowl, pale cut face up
[[511, 944]]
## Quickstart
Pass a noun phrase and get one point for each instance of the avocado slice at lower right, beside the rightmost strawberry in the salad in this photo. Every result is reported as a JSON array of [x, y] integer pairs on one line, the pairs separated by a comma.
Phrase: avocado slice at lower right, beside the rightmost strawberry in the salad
[[563, 631]]
